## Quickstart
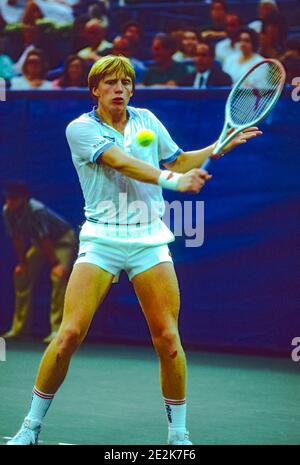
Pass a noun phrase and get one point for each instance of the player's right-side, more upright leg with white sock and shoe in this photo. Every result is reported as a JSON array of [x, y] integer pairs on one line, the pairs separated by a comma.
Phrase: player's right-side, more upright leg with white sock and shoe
[[158, 293]]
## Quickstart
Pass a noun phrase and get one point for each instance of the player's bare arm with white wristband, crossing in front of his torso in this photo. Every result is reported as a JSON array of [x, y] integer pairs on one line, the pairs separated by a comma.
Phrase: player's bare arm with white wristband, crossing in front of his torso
[[191, 181]]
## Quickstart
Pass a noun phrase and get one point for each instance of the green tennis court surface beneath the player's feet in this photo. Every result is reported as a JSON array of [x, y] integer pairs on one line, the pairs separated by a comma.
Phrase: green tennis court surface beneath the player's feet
[[112, 396]]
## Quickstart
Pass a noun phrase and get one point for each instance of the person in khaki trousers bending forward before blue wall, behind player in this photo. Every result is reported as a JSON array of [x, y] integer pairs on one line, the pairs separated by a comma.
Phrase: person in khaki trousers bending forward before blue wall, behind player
[[53, 242]]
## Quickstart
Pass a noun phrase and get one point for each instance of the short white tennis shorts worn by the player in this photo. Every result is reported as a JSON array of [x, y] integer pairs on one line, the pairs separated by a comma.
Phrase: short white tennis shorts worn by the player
[[113, 256]]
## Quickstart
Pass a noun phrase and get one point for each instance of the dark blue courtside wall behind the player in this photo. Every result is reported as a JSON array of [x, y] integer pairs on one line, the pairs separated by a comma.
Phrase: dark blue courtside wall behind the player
[[240, 290]]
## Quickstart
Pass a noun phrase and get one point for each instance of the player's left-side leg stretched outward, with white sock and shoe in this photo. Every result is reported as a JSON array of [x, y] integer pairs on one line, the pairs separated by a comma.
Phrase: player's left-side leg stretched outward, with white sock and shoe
[[86, 289]]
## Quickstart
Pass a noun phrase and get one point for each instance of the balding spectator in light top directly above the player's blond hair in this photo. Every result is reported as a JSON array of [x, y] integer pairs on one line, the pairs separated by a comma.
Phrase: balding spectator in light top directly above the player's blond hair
[[94, 32]]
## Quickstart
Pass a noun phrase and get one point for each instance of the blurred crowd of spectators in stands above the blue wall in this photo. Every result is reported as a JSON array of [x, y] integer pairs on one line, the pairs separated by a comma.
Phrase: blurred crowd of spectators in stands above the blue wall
[[51, 44]]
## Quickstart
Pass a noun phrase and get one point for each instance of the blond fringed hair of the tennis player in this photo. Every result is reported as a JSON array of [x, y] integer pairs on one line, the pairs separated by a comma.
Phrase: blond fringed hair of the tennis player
[[110, 64]]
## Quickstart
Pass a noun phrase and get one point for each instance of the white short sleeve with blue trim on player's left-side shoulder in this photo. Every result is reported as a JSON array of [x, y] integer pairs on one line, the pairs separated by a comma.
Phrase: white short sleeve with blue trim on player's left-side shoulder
[[86, 142]]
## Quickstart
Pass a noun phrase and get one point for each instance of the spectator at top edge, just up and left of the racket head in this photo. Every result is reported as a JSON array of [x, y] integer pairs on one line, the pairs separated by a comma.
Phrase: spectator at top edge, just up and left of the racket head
[[217, 29]]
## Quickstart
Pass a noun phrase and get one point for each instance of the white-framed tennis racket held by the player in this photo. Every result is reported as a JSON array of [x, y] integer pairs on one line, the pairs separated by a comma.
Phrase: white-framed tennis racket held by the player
[[250, 100]]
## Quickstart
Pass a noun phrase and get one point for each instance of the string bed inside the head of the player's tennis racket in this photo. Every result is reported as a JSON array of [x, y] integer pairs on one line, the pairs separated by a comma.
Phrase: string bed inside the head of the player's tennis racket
[[256, 93]]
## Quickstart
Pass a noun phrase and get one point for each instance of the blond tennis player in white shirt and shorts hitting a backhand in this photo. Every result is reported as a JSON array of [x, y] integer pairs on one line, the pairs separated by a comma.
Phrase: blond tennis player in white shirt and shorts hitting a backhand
[[110, 165]]
